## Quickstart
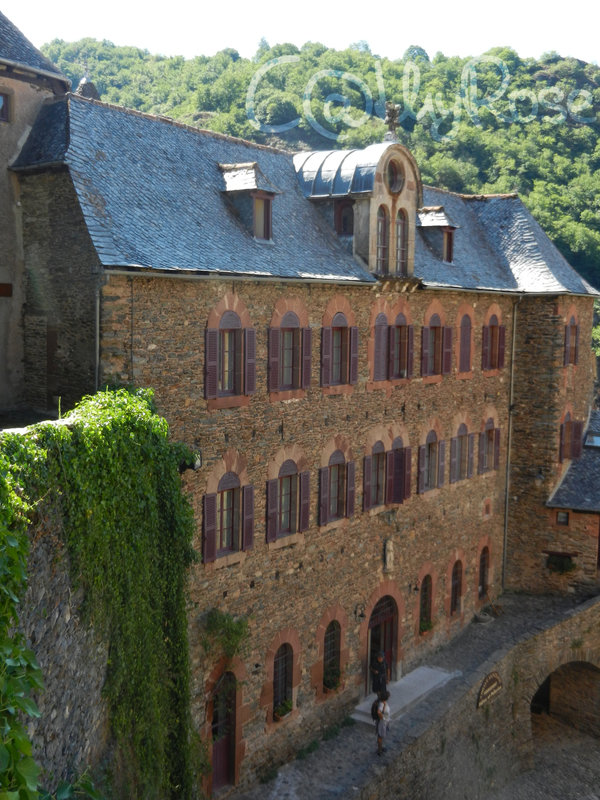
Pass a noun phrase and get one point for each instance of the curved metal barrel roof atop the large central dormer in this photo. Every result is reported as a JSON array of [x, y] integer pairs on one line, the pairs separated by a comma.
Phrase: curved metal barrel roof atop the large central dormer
[[339, 173]]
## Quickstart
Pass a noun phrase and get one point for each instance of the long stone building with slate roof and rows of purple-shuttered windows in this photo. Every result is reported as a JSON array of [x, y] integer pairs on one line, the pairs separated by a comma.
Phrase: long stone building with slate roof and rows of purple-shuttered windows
[[383, 384]]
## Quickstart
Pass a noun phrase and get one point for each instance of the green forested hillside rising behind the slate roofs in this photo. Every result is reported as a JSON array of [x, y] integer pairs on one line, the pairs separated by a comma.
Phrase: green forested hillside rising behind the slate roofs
[[495, 123]]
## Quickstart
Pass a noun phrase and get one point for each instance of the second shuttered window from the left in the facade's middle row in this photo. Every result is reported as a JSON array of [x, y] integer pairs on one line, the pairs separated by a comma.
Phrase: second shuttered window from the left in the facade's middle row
[[287, 502]]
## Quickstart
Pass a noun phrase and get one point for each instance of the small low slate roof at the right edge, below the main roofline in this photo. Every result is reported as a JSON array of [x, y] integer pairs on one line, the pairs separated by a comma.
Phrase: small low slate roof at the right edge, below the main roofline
[[579, 489]]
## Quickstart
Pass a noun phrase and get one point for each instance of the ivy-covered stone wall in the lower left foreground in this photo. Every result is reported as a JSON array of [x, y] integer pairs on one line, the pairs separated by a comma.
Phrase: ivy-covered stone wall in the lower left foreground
[[99, 495]]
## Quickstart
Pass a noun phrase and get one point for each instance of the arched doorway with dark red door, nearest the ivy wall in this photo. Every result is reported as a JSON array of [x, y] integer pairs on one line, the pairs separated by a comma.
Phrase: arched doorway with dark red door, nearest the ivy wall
[[223, 732]]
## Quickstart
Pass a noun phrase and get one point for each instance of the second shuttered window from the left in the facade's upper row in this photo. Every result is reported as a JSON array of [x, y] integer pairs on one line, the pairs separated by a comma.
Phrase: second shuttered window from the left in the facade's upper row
[[290, 349]]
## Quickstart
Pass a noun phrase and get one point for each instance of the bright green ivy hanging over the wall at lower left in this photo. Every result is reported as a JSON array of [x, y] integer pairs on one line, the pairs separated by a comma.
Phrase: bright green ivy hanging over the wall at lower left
[[109, 473]]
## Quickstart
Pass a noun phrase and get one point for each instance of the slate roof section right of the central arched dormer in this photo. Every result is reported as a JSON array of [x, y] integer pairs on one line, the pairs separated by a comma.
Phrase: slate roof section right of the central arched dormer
[[499, 247]]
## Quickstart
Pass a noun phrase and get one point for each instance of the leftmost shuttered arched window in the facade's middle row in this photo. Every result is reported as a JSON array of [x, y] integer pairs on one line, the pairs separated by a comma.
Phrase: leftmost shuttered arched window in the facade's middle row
[[228, 519]]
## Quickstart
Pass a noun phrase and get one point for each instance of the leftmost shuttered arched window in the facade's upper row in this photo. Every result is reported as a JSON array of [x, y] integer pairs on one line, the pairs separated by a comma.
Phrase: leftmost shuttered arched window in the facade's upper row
[[230, 359]]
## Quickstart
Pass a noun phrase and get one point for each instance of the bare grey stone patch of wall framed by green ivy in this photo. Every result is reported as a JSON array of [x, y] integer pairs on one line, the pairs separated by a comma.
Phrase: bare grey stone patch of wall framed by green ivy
[[71, 733]]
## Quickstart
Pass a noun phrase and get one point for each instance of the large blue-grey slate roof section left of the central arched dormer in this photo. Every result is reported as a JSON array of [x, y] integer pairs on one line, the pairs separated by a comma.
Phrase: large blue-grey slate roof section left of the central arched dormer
[[151, 192]]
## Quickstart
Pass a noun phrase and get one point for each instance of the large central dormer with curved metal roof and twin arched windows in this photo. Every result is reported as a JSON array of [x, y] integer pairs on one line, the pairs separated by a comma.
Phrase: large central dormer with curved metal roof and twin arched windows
[[370, 197]]
